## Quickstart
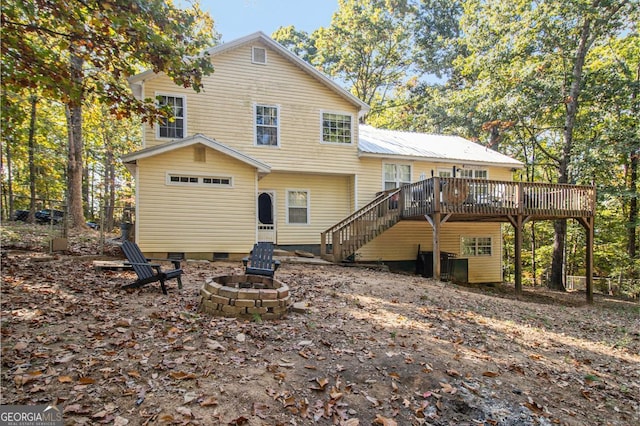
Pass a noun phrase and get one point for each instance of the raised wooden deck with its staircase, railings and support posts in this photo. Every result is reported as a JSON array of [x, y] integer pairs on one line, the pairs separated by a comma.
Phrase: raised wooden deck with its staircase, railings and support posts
[[440, 200]]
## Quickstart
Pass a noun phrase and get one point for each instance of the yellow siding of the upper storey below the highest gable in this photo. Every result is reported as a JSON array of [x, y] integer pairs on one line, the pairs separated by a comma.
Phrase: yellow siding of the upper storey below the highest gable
[[224, 110]]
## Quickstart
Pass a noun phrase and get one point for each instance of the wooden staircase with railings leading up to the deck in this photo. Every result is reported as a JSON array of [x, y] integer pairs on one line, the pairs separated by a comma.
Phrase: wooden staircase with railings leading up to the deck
[[347, 236]]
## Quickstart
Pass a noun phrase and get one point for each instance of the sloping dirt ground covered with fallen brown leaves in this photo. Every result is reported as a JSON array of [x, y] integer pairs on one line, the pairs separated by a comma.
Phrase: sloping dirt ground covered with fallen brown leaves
[[374, 348]]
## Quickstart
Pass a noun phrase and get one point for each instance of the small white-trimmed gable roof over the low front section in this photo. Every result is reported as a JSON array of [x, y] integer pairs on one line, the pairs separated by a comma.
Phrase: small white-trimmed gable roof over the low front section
[[132, 158]]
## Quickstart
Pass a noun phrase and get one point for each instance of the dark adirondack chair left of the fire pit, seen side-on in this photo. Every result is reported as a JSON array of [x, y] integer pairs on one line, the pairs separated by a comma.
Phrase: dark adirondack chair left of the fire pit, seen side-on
[[149, 272]]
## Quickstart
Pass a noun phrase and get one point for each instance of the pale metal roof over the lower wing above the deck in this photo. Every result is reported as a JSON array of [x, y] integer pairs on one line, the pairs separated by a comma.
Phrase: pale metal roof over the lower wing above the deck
[[409, 145]]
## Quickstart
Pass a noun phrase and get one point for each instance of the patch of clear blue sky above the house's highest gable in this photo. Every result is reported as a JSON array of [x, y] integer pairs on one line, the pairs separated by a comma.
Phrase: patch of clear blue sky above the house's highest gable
[[238, 18]]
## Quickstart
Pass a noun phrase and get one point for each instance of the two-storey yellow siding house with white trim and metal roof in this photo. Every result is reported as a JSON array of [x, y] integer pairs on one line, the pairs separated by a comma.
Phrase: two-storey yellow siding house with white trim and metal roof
[[272, 150]]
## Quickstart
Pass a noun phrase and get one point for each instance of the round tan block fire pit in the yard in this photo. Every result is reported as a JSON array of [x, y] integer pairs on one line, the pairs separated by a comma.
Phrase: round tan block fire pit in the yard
[[245, 296]]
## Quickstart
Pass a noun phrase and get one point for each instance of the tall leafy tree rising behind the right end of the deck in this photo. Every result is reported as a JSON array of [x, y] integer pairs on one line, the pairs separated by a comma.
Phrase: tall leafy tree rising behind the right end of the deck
[[525, 63]]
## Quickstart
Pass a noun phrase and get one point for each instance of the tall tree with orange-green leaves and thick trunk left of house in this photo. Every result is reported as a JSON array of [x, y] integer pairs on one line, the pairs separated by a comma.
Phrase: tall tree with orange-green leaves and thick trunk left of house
[[68, 47]]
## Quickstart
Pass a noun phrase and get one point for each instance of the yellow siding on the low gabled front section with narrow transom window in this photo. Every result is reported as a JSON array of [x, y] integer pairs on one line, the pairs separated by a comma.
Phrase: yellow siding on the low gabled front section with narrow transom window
[[185, 218]]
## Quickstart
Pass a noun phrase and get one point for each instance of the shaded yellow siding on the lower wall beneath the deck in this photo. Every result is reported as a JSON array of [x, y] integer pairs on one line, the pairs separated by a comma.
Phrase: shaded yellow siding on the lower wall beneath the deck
[[401, 243]]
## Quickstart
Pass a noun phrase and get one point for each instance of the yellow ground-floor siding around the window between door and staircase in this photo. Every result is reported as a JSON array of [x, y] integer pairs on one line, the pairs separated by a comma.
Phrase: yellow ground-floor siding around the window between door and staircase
[[330, 200]]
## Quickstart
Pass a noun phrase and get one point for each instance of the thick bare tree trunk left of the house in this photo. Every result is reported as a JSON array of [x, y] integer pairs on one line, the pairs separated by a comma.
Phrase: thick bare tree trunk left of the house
[[75, 163]]
